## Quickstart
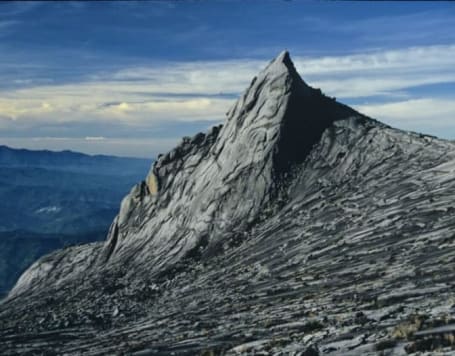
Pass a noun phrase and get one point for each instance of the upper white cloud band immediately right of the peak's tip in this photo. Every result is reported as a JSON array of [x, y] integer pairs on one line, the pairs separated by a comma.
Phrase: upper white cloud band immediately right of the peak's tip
[[380, 73]]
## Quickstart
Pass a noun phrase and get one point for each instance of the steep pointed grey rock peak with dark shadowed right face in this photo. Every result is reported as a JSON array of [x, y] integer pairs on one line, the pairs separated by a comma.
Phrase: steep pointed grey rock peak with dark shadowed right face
[[219, 183]]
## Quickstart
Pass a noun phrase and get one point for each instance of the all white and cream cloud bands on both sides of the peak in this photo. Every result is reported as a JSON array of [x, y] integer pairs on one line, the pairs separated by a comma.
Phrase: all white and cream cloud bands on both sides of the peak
[[187, 92]]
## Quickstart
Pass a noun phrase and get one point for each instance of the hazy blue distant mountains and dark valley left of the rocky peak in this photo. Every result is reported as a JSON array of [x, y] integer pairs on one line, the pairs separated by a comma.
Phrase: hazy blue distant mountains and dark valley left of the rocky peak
[[52, 199]]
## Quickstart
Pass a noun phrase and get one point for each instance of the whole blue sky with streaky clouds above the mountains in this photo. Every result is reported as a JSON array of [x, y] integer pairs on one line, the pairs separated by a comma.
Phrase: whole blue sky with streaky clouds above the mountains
[[131, 78]]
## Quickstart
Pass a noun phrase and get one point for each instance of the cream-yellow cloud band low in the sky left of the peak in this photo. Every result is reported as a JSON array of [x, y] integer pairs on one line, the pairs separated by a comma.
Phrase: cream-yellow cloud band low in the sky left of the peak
[[98, 101]]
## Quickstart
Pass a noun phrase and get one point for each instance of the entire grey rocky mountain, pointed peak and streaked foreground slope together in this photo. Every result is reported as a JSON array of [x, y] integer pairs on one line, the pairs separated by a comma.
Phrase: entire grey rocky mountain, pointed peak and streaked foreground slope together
[[300, 226]]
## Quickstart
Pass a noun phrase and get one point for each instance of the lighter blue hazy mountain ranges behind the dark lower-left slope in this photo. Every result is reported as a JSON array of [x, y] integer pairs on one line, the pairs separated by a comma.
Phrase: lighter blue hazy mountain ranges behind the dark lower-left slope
[[62, 192]]
